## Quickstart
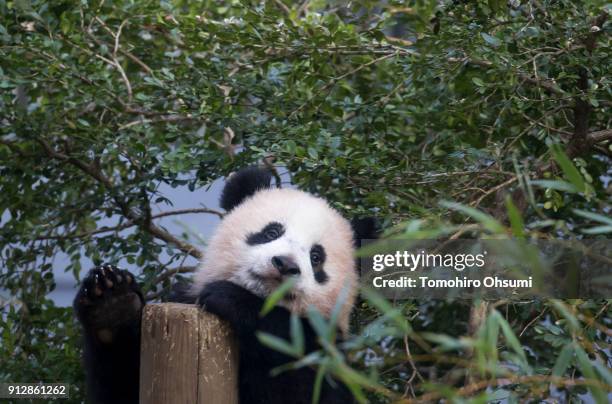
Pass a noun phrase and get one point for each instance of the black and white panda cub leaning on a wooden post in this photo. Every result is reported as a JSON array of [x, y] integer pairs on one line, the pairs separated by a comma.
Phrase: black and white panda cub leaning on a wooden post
[[268, 235]]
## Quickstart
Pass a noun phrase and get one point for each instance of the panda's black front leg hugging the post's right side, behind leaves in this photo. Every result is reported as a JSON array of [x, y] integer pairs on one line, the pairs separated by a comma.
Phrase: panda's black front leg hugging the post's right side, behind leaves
[[241, 309]]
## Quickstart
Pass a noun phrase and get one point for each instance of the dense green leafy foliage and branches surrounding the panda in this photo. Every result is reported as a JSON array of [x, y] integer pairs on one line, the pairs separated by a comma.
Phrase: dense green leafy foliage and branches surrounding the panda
[[386, 108]]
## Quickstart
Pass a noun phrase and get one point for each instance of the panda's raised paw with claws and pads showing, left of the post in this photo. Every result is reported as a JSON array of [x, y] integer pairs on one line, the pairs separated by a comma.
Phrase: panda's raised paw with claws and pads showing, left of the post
[[108, 298]]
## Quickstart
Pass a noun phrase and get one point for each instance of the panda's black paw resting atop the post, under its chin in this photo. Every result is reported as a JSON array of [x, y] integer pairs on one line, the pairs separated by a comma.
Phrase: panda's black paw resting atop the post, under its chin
[[232, 303]]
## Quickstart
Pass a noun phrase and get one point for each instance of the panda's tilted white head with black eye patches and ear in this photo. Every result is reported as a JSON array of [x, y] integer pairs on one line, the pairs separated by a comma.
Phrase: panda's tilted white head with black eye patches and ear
[[271, 234]]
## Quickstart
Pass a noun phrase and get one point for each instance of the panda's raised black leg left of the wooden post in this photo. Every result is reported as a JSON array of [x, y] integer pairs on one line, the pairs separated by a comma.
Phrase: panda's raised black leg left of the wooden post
[[109, 305]]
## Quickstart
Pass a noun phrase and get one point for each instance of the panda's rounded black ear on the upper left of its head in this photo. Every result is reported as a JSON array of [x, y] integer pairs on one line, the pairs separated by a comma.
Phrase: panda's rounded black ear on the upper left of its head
[[242, 184]]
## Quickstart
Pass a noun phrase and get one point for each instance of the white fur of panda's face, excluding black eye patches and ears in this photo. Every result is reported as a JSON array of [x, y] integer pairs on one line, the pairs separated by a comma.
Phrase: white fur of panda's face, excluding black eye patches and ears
[[307, 220]]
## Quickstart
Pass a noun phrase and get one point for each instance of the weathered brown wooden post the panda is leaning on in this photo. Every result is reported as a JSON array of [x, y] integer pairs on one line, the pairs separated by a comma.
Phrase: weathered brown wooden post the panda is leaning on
[[186, 356]]
